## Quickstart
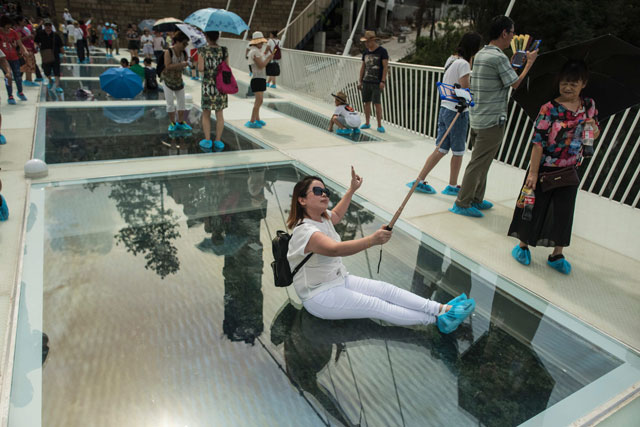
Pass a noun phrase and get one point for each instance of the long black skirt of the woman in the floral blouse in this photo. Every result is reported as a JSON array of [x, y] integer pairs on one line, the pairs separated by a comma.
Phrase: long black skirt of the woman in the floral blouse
[[552, 218]]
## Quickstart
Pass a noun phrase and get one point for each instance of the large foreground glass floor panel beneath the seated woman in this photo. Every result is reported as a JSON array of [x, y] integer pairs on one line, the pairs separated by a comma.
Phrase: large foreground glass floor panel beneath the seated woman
[[159, 308]]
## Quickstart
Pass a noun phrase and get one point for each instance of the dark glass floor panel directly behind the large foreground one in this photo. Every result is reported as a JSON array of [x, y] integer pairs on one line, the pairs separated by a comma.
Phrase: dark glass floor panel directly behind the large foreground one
[[110, 133]]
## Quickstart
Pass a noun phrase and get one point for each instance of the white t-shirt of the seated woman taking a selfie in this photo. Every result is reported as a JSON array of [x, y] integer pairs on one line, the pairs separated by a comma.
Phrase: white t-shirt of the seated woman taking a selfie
[[320, 272]]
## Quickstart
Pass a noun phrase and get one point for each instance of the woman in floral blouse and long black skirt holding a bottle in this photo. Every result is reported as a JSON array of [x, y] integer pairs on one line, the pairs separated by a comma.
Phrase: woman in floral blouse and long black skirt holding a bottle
[[557, 144]]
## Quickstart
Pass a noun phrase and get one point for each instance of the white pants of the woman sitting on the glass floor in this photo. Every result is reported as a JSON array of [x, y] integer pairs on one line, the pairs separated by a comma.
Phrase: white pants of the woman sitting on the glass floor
[[361, 298]]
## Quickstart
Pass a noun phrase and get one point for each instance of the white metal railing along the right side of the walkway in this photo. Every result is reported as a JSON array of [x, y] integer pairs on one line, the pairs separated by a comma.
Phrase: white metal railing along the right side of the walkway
[[411, 102]]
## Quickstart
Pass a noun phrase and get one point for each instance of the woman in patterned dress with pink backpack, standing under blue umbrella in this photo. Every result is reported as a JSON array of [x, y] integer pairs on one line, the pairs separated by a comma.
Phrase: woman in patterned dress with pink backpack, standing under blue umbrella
[[209, 58]]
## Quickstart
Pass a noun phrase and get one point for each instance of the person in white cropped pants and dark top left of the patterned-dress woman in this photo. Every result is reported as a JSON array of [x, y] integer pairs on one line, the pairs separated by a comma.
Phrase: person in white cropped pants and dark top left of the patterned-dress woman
[[175, 60]]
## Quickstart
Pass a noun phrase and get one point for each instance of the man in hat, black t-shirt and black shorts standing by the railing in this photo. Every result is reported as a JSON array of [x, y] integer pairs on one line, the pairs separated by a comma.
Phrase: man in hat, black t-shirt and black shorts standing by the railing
[[373, 77]]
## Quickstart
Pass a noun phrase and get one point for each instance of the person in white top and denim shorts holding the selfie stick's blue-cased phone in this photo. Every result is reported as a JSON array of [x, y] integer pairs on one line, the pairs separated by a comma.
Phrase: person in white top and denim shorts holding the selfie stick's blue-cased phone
[[457, 71]]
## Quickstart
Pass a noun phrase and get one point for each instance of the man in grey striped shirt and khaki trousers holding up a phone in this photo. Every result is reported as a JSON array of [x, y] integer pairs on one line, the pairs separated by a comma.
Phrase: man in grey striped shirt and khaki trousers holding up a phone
[[491, 77]]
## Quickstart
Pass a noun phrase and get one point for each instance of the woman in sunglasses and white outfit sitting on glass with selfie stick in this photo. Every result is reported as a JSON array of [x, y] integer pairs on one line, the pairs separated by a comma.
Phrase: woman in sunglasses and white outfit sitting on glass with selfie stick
[[323, 284]]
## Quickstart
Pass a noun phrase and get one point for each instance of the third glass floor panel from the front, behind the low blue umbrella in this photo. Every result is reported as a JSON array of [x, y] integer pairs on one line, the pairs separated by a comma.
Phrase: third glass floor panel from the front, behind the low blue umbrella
[[72, 92]]
